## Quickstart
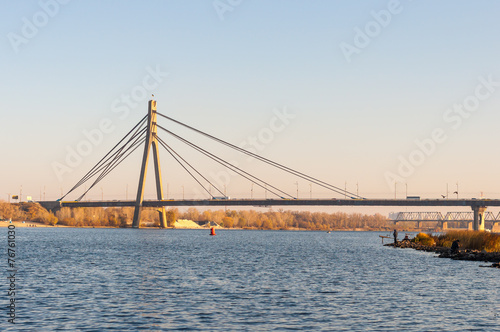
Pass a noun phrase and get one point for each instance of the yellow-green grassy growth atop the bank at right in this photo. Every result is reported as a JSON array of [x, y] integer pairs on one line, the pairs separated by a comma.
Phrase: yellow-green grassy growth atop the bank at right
[[474, 240]]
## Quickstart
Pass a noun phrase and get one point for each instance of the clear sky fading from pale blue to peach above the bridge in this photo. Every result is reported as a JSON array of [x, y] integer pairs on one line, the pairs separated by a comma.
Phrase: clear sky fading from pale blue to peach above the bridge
[[384, 98]]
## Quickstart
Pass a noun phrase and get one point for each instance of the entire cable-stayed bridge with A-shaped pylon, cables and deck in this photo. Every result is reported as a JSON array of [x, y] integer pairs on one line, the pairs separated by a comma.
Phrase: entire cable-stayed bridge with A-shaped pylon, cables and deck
[[145, 133]]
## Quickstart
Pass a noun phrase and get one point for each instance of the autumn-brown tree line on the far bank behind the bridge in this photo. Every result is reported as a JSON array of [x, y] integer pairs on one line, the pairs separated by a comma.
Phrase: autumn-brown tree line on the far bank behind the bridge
[[251, 219]]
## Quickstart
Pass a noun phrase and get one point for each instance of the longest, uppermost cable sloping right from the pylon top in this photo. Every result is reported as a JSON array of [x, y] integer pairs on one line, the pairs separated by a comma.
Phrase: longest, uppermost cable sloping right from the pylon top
[[268, 161]]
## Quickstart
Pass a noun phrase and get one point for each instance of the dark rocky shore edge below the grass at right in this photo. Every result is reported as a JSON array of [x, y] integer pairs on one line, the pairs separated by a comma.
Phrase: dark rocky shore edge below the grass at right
[[462, 254]]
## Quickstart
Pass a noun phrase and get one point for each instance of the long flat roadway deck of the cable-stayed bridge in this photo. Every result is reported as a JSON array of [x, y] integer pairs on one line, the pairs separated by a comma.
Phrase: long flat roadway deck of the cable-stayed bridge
[[54, 205]]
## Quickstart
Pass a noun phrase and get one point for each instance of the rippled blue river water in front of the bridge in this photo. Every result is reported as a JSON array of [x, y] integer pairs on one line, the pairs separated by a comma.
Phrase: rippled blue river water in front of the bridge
[[155, 280]]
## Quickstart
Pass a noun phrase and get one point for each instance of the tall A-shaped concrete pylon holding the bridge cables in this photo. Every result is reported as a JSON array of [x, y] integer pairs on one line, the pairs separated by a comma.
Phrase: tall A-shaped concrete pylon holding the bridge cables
[[151, 141]]
